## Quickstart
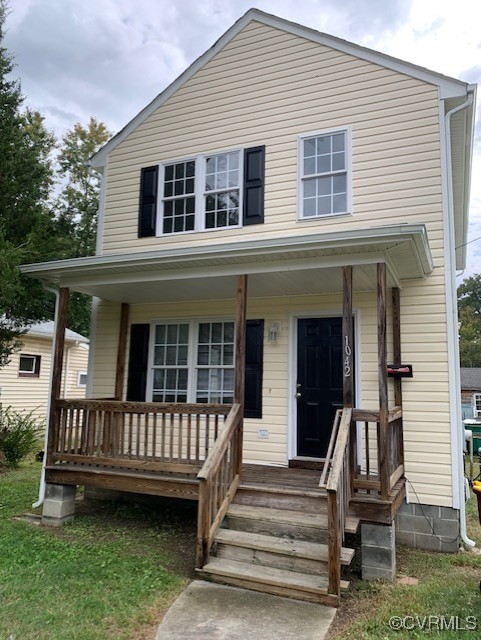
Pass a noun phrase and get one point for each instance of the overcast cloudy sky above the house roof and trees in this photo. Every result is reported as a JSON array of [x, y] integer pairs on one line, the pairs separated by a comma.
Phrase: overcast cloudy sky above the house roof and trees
[[109, 58]]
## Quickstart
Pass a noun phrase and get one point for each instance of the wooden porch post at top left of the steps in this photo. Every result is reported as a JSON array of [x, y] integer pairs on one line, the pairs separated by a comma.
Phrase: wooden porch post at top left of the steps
[[240, 350]]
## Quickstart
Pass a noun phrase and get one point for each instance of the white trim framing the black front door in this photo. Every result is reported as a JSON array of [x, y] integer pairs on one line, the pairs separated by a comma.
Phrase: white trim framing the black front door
[[294, 316]]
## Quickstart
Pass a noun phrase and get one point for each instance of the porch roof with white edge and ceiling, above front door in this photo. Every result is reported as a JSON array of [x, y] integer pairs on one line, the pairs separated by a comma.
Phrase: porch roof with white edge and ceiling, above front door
[[278, 266]]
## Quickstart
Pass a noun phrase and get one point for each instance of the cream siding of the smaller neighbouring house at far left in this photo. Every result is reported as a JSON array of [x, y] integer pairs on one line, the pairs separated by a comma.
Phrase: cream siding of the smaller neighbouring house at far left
[[30, 393]]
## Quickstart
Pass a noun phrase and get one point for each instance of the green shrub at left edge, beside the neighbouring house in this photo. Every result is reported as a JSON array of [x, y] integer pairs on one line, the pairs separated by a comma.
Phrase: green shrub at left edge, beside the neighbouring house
[[19, 434]]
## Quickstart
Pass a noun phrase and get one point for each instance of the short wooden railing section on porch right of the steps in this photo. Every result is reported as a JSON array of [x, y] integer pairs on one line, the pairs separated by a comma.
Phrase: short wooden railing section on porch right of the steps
[[382, 461]]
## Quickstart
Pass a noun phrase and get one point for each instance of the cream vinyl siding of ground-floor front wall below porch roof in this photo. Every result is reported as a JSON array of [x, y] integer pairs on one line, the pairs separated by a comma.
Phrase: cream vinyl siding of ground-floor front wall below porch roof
[[426, 424]]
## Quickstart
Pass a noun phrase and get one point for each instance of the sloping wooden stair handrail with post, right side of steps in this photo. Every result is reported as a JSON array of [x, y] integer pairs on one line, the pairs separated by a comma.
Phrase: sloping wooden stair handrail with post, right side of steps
[[338, 488]]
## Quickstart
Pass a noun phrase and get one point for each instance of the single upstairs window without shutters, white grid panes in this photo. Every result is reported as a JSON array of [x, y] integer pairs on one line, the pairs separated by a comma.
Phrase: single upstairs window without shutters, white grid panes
[[324, 174]]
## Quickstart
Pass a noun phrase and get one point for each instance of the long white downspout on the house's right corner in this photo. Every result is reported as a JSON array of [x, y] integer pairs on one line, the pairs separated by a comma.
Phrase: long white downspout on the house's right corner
[[453, 318]]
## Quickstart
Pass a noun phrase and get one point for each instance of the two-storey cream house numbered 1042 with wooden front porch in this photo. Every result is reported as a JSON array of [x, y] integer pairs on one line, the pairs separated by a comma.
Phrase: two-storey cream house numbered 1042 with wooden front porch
[[321, 189]]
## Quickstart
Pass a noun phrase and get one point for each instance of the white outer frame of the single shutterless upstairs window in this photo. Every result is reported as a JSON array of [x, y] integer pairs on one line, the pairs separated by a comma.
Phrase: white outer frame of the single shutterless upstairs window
[[347, 130]]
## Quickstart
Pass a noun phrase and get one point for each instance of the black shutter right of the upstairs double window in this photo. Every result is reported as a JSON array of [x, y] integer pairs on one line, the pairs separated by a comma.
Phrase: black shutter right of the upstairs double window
[[254, 162]]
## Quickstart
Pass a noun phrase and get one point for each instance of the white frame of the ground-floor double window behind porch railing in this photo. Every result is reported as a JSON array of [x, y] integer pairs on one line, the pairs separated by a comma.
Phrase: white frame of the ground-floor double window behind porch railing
[[192, 366]]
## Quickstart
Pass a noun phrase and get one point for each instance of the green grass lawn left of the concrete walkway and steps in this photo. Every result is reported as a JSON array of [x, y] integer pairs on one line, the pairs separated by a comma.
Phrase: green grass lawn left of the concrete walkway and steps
[[108, 575]]
